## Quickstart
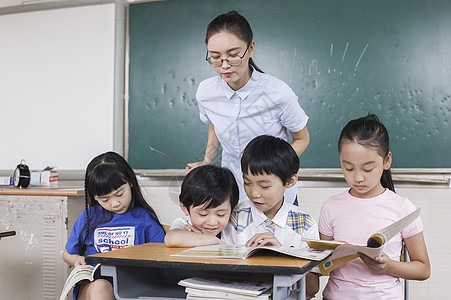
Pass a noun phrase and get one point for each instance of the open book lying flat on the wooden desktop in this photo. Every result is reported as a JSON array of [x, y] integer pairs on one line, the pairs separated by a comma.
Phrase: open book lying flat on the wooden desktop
[[232, 251]]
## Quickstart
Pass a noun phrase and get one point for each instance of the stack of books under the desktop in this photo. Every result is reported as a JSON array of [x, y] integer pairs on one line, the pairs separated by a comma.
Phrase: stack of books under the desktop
[[235, 286]]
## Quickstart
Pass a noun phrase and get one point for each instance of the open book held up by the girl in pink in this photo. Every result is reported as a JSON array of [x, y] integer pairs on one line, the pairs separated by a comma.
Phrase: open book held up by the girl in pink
[[345, 252]]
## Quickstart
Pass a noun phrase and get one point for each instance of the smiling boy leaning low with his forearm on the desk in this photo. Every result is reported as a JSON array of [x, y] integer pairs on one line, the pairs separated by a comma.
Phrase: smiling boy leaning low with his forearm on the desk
[[208, 196]]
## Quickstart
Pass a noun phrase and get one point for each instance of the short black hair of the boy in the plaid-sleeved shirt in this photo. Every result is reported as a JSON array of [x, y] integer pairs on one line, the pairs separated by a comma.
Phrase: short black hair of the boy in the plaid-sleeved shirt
[[270, 155]]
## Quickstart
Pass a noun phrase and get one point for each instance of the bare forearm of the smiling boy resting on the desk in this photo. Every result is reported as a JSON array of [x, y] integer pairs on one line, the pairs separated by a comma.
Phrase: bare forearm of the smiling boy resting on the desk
[[184, 238]]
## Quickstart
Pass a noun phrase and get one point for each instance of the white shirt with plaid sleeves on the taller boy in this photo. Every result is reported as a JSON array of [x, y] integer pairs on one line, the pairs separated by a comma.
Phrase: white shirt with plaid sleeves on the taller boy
[[291, 224]]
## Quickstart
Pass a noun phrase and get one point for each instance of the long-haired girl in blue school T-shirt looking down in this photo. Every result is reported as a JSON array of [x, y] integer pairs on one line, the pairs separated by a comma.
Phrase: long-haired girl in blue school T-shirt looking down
[[116, 216]]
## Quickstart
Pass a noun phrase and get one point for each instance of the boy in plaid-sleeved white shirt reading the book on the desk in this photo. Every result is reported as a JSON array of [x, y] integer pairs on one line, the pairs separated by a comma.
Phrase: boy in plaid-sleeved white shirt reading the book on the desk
[[270, 166]]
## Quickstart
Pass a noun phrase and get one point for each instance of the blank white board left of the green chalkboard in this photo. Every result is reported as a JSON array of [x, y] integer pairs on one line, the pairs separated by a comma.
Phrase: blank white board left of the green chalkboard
[[57, 86]]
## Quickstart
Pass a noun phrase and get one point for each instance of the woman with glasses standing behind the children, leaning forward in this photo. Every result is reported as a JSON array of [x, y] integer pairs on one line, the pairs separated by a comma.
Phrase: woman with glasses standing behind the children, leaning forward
[[242, 102]]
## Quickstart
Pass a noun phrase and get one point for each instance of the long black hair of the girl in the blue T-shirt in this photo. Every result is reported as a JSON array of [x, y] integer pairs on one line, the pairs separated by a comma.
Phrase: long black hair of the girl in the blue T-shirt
[[106, 173]]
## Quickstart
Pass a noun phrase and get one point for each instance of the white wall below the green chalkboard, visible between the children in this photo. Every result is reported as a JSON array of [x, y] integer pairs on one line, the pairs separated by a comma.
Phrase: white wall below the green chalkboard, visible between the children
[[162, 194]]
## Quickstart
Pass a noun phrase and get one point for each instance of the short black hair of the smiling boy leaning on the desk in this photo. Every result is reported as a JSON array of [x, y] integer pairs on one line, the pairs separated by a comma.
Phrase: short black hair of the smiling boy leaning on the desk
[[209, 185]]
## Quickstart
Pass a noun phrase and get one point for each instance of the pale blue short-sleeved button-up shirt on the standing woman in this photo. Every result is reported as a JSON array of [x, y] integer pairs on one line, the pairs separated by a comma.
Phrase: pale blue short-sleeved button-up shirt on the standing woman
[[265, 105]]
